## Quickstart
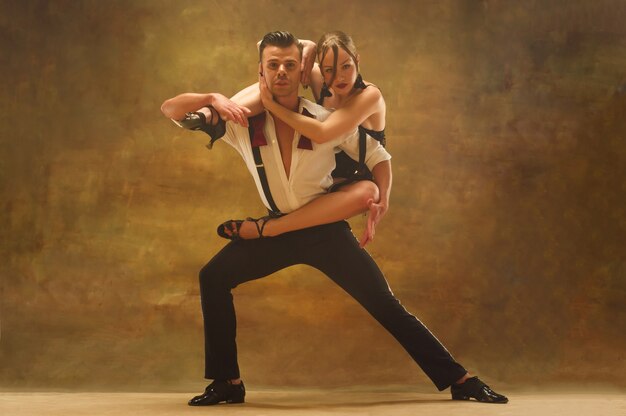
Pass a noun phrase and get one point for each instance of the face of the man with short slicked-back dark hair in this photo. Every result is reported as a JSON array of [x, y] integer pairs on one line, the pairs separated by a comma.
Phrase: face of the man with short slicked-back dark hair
[[281, 69]]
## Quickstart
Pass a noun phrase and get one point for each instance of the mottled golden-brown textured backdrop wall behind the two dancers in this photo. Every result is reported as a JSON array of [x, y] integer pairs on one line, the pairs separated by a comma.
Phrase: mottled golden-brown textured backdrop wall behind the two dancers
[[507, 233]]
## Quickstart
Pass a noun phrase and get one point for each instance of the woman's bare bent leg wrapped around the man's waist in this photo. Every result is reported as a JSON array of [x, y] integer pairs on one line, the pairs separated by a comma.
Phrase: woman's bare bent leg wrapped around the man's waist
[[346, 202]]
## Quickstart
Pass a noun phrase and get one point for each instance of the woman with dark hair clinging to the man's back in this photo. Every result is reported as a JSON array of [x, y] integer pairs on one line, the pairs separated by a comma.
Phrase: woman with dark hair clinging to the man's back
[[336, 84]]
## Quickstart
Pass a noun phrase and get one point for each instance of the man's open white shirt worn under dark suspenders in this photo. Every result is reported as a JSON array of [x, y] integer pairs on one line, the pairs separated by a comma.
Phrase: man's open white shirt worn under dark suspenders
[[310, 173]]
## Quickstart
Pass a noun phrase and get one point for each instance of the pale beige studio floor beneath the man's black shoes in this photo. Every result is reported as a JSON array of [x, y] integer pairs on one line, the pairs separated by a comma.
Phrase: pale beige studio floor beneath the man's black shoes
[[312, 402]]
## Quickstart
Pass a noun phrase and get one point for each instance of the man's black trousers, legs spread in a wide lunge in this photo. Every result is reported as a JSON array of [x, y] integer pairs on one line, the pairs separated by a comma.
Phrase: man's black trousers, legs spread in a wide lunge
[[334, 250]]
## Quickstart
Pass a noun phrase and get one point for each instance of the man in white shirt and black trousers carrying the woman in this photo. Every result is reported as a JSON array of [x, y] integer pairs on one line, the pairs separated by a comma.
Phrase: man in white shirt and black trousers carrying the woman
[[292, 173]]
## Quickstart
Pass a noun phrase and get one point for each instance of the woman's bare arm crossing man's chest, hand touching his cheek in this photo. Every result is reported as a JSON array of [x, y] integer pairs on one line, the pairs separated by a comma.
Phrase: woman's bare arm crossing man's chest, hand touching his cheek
[[342, 121]]
